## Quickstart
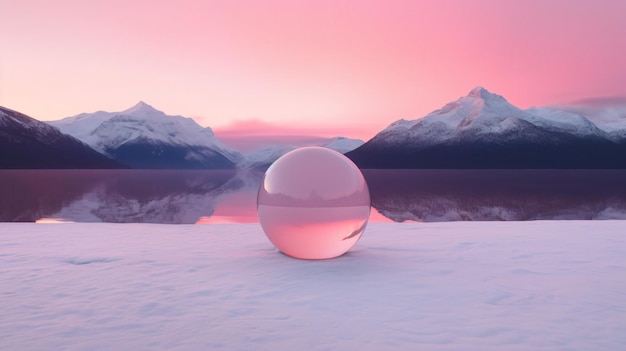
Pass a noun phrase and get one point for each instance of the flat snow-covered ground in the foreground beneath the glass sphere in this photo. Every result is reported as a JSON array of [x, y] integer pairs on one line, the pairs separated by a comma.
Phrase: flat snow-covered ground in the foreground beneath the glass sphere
[[446, 286]]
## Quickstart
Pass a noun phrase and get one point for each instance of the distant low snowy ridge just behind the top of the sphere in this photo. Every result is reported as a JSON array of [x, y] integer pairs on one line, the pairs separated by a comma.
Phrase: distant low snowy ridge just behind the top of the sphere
[[264, 157]]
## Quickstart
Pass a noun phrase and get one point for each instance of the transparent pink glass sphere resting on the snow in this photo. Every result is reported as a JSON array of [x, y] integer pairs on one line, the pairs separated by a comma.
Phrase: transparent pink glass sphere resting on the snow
[[313, 203]]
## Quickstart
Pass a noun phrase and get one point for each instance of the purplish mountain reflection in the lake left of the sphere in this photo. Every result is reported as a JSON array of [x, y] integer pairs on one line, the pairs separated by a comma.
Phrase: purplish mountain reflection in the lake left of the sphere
[[119, 196]]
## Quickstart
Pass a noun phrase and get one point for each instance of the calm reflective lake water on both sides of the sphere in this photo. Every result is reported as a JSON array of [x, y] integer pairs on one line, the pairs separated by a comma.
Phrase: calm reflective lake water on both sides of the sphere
[[173, 196]]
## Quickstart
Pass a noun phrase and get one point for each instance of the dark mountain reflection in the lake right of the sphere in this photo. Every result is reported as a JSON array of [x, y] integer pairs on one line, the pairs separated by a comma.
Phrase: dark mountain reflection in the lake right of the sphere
[[498, 195]]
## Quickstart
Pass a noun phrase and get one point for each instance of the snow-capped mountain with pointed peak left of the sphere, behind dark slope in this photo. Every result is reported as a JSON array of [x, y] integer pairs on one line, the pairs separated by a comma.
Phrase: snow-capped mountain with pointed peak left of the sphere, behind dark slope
[[143, 137]]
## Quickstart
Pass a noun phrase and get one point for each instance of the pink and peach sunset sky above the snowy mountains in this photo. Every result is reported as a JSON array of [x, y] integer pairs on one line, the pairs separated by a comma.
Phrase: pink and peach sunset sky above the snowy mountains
[[344, 67]]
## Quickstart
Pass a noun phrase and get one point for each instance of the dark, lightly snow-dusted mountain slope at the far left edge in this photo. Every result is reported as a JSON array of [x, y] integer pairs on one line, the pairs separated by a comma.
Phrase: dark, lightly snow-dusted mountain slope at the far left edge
[[28, 143]]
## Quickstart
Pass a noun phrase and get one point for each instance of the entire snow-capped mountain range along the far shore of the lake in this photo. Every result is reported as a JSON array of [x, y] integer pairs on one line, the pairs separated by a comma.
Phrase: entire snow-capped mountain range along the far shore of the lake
[[480, 130]]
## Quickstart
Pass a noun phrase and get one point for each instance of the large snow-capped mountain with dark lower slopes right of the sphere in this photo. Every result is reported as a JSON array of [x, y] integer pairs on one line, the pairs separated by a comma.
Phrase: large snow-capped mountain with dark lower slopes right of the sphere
[[483, 130]]
